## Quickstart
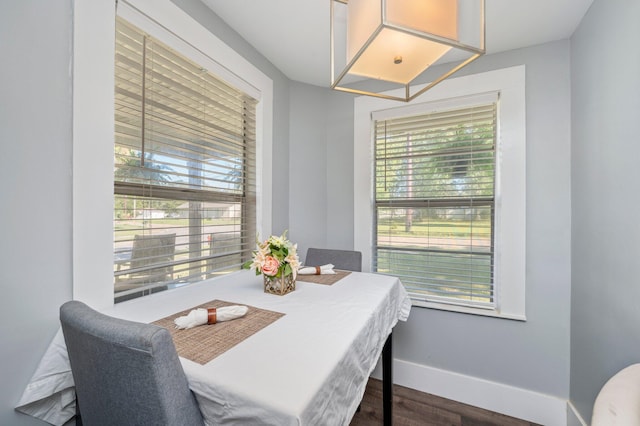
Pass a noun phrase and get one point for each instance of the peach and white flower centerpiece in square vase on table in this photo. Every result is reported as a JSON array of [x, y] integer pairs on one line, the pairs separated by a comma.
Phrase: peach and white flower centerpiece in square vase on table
[[277, 260]]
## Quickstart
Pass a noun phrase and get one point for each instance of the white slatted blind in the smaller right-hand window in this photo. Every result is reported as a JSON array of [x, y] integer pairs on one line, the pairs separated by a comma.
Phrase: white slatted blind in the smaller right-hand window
[[435, 205]]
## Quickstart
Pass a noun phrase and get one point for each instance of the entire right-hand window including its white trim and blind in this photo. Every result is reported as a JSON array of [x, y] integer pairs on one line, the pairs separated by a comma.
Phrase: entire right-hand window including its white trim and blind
[[447, 213]]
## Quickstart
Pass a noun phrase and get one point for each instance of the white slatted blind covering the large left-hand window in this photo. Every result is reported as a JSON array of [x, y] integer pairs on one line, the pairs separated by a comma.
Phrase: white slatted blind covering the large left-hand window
[[184, 175]]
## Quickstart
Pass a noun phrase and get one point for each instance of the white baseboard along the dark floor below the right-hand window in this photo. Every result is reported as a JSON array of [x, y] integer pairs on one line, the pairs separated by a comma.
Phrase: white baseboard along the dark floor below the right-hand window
[[516, 402]]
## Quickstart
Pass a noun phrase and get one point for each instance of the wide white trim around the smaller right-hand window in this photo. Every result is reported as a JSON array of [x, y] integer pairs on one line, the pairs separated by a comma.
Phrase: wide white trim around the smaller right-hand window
[[510, 273]]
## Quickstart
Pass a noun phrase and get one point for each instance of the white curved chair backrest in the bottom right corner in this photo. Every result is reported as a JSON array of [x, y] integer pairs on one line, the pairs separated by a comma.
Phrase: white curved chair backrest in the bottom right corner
[[618, 402]]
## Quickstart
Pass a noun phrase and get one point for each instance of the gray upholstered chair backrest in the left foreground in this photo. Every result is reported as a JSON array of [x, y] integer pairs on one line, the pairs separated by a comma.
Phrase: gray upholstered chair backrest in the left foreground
[[125, 373]]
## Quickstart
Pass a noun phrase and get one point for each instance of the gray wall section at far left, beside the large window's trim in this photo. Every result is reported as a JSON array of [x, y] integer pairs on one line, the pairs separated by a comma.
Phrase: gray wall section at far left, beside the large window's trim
[[35, 187]]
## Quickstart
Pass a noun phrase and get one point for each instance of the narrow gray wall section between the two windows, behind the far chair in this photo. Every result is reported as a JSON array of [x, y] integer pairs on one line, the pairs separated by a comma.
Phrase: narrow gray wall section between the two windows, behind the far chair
[[321, 168]]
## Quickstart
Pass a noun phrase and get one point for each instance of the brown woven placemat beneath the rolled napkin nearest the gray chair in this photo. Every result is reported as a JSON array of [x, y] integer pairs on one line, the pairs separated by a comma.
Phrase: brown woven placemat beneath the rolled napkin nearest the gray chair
[[203, 343]]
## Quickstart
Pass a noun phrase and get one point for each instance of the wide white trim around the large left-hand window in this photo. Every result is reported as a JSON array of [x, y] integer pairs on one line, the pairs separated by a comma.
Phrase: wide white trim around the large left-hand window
[[93, 118]]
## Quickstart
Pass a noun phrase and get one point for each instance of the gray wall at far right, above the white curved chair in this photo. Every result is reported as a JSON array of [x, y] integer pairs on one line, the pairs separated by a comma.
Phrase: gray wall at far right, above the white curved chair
[[605, 290]]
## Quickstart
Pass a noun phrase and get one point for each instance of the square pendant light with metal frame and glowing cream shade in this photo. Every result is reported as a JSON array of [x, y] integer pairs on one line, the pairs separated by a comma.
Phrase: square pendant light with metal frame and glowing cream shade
[[396, 41]]
